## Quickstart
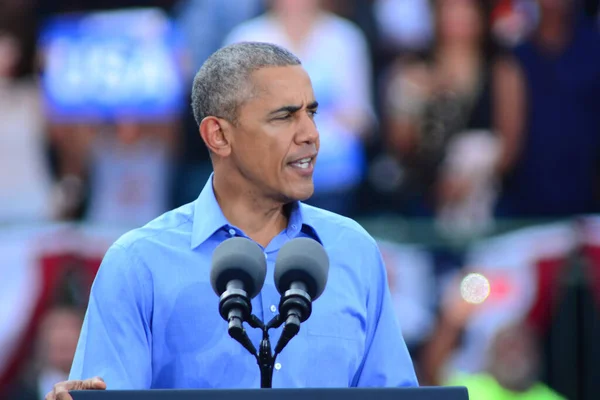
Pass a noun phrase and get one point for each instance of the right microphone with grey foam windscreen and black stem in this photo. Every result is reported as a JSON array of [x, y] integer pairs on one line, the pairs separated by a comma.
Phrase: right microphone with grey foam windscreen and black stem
[[301, 271]]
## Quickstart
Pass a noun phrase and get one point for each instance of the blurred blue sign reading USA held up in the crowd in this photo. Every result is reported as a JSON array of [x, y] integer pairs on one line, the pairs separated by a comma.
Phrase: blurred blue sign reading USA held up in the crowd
[[106, 65]]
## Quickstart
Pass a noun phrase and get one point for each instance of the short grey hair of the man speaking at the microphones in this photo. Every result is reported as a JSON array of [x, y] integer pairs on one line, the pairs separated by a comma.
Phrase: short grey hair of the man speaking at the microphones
[[221, 84]]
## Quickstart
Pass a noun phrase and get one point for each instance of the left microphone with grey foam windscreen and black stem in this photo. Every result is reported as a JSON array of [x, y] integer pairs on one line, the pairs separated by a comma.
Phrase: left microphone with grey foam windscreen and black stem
[[237, 275]]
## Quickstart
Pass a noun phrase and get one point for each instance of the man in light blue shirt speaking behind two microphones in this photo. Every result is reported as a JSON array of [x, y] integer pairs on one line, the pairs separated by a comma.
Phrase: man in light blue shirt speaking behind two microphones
[[153, 319]]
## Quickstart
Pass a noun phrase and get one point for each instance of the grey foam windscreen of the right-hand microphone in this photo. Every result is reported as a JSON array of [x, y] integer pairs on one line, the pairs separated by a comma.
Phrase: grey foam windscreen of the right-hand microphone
[[304, 260]]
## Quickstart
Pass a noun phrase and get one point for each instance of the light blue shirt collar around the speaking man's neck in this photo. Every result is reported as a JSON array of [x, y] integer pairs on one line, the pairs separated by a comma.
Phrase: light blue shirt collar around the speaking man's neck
[[208, 218]]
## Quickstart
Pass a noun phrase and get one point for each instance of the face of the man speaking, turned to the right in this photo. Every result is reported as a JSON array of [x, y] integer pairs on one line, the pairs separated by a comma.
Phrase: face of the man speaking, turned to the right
[[275, 142]]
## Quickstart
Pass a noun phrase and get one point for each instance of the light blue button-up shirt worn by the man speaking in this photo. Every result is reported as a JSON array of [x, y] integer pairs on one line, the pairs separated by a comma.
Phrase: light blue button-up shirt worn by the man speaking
[[153, 319]]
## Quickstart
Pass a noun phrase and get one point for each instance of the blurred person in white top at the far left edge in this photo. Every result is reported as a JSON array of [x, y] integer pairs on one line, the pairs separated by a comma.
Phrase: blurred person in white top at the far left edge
[[25, 179]]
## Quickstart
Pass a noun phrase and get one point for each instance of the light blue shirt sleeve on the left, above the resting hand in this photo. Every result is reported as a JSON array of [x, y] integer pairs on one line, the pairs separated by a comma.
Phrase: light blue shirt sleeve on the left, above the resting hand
[[115, 340]]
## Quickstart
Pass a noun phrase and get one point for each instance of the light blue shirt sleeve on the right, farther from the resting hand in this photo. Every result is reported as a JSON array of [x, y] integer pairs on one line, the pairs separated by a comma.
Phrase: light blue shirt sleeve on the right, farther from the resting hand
[[387, 362]]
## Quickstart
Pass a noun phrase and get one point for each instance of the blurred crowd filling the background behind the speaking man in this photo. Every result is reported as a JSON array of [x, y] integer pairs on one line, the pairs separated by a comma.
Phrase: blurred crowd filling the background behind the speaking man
[[460, 113]]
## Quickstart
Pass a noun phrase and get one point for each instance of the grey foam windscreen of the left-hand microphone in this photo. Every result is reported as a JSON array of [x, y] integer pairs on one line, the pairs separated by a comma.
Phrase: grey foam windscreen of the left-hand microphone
[[238, 258]]
